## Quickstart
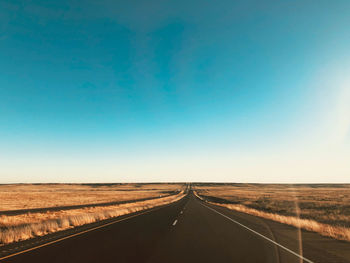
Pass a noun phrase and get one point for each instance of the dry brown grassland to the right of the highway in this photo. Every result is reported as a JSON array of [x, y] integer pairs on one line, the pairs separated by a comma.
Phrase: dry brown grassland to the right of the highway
[[320, 208]]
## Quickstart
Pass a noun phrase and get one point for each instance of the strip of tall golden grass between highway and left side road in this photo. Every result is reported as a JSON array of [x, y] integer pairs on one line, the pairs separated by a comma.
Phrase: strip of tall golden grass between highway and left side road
[[22, 227]]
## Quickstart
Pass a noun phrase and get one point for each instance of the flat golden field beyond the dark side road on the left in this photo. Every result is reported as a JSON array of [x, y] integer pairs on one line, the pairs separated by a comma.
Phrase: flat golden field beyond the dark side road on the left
[[27, 196]]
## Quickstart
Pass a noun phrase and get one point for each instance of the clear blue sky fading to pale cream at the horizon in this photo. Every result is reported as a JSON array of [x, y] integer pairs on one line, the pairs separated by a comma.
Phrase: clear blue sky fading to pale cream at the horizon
[[112, 91]]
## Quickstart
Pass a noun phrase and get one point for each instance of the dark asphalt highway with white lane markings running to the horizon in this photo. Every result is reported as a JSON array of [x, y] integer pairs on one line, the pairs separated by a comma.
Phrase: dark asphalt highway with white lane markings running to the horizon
[[191, 231]]
